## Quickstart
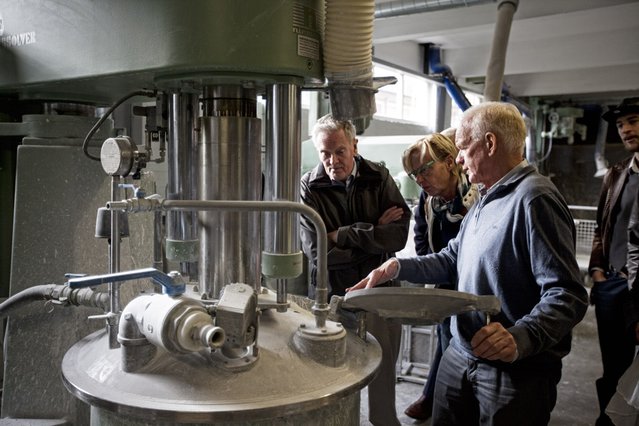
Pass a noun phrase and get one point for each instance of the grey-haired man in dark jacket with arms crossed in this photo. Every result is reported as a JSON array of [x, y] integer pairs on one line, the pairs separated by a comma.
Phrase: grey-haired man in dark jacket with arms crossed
[[367, 220]]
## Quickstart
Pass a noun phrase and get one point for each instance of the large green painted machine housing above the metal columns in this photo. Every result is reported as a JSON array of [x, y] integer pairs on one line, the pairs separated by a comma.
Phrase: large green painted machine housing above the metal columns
[[97, 50]]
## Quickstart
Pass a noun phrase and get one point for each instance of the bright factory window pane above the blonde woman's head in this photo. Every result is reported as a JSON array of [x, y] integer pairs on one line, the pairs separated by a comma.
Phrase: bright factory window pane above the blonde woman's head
[[412, 98]]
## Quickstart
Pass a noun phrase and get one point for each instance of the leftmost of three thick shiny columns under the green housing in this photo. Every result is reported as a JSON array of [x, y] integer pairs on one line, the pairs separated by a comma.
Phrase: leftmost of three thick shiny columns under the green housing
[[181, 229]]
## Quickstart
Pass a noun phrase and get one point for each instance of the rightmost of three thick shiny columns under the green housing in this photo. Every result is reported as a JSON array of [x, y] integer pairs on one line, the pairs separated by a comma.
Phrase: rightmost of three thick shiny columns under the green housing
[[282, 170]]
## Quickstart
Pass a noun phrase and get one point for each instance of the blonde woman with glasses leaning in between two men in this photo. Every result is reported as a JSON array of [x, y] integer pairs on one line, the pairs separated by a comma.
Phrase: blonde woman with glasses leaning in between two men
[[446, 197]]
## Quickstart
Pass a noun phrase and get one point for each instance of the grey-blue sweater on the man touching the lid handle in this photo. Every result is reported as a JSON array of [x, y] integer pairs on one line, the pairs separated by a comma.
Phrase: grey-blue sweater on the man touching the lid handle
[[517, 243]]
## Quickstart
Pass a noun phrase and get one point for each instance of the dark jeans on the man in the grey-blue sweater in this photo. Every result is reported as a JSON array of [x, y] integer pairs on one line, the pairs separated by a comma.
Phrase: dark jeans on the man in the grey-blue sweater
[[471, 392]]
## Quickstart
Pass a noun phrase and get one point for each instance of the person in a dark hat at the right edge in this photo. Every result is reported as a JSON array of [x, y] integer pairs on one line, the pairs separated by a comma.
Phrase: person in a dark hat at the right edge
[[608, 258]]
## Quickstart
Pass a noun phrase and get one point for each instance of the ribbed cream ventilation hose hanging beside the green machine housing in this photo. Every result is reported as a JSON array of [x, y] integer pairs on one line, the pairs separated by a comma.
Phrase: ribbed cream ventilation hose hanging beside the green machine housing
[[348, 57]]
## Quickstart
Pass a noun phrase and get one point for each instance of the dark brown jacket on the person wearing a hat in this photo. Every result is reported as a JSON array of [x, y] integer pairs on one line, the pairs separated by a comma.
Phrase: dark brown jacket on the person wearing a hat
[[611, 190]]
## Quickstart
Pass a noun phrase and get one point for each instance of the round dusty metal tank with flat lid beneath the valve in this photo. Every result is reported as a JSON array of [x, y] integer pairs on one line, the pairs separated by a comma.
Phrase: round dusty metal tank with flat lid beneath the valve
[[283, 387]]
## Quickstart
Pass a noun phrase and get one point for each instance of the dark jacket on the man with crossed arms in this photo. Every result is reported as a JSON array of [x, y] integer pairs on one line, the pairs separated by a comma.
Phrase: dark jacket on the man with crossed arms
[[362, 244]]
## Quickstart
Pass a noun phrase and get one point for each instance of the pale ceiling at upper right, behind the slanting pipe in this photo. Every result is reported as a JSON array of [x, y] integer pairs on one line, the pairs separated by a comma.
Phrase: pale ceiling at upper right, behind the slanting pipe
[[557, 48]]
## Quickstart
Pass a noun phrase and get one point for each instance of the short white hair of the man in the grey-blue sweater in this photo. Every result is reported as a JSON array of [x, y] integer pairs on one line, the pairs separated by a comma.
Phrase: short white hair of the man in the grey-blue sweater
[[502, 119]]
